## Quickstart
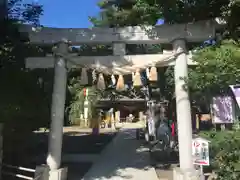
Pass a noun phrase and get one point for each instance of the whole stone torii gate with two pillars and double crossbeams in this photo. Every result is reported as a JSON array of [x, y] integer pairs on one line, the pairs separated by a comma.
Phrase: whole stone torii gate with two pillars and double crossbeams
[[119, 63]]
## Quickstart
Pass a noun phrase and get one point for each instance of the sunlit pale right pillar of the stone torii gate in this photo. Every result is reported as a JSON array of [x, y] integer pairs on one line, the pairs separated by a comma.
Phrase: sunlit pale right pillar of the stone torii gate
[[183, 107]]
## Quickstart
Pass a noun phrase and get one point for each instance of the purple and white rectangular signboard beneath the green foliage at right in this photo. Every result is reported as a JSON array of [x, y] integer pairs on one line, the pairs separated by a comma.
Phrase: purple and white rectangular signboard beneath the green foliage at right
[[223, 110]]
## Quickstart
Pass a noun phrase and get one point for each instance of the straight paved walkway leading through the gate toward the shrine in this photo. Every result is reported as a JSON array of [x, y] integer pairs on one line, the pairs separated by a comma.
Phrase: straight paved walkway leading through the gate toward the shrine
[[123, 159]]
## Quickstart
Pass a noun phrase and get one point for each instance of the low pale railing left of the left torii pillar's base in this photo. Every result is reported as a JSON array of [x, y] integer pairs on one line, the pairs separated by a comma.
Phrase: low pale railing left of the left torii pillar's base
[[17, 175]]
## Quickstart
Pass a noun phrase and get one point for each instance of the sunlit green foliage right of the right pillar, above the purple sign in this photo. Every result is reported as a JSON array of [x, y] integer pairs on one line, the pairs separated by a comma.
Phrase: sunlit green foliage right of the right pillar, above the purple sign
[[218, 67]]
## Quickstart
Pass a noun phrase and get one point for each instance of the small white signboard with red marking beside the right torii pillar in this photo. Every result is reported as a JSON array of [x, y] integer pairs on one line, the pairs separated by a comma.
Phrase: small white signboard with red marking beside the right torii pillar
[[200, 150]]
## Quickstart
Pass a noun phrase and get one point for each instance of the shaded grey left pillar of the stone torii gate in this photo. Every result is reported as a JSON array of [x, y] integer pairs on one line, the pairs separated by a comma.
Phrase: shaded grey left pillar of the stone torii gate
[[57, 113]]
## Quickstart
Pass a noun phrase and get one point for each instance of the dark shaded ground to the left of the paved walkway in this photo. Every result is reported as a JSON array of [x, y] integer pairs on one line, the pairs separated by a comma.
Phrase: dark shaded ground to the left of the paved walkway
[[36, 147]]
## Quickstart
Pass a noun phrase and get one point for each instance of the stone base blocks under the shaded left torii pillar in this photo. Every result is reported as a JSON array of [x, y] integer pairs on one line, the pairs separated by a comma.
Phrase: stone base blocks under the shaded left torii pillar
[[42, 173]]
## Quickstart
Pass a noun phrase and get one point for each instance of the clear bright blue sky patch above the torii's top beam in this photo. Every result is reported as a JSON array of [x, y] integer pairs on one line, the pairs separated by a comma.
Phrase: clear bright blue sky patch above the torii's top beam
[[68, 13]]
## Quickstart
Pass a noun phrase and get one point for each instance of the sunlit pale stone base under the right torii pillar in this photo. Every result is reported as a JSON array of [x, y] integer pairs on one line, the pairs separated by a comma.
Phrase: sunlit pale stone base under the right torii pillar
[[179, 174]]
